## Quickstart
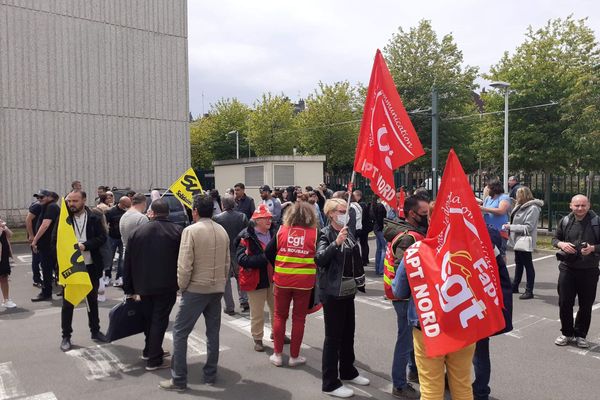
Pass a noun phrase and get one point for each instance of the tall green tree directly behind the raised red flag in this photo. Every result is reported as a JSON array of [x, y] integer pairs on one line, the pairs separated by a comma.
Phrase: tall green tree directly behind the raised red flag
[[418, 60]]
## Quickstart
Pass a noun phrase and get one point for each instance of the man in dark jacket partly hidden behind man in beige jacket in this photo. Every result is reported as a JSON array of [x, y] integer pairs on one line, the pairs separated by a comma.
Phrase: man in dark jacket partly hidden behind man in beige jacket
[[234, 222]]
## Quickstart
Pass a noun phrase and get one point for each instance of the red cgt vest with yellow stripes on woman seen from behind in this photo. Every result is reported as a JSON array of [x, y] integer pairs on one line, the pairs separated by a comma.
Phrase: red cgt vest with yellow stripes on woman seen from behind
[[295, 261]]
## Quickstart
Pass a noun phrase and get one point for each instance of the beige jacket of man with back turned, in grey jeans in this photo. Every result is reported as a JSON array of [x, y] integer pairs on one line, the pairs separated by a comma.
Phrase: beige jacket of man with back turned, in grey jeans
[[203, 263]]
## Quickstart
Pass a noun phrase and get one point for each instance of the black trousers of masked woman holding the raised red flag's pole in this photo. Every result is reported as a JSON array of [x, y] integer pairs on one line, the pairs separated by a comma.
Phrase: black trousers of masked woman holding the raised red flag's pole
[[339, 343]]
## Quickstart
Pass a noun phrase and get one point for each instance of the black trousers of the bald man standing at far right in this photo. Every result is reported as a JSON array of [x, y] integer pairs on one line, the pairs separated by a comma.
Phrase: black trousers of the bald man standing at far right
[[581, 283]]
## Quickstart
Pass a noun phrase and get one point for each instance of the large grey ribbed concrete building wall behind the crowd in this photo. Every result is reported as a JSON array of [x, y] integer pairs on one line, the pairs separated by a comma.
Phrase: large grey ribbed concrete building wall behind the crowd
[[94, 90]]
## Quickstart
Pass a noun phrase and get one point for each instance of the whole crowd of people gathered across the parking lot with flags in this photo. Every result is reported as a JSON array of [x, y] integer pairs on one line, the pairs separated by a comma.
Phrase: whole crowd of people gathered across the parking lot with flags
[[303, 248]]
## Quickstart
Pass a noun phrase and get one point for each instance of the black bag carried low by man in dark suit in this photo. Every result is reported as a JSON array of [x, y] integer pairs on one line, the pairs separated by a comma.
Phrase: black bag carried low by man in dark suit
[[125, 319]]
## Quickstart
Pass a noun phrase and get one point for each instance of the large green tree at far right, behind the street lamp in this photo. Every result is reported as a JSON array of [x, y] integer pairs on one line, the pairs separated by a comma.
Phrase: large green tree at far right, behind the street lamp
[[554, 64]]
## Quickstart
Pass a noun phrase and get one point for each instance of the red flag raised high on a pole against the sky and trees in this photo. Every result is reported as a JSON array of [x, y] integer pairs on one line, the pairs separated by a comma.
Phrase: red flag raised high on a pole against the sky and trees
[[387, 139]]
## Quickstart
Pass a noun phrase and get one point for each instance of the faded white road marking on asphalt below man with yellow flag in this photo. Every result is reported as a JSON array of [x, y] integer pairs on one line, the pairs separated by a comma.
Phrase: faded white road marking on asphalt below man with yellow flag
[[101, 362]]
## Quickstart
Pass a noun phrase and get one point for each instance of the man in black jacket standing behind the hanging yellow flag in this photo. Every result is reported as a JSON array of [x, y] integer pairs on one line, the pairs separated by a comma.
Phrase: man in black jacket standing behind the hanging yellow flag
[[91, 236]]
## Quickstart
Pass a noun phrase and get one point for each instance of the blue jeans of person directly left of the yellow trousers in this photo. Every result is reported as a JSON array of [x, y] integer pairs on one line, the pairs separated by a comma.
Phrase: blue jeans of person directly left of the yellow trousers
[[403, 352]]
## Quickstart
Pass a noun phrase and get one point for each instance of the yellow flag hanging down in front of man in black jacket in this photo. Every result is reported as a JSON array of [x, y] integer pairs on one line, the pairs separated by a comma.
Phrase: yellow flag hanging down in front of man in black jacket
[[72, 272]]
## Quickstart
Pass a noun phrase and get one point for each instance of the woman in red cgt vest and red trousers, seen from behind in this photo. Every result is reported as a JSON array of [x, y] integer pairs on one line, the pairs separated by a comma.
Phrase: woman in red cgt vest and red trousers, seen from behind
[[293, 251]]
